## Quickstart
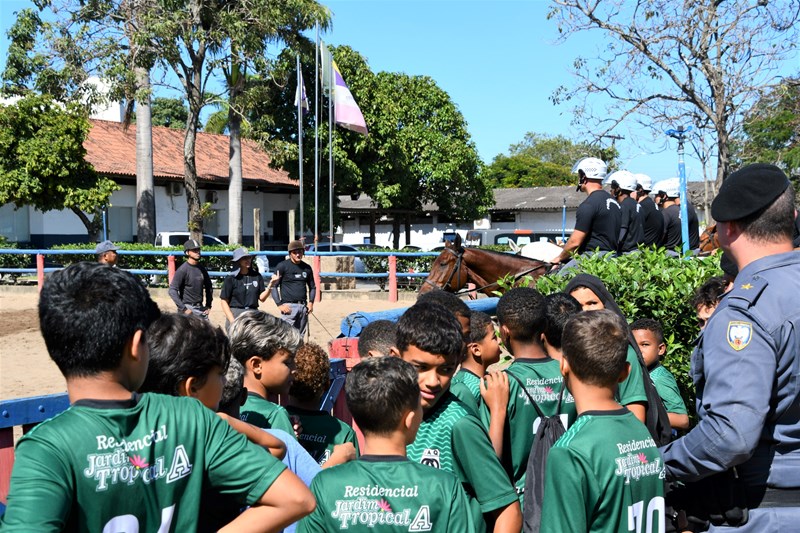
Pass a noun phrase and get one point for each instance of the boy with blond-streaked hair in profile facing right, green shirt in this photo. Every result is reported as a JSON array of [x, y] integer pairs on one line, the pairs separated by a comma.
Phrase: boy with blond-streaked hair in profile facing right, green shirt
[[265, 346]]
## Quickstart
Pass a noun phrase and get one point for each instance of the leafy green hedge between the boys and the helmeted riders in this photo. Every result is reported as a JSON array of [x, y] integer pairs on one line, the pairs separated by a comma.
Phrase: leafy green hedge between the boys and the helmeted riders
[[651, 284]]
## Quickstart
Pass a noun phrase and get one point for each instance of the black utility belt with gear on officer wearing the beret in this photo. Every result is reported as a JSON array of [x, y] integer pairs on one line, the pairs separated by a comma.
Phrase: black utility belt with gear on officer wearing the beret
[[723, 500]]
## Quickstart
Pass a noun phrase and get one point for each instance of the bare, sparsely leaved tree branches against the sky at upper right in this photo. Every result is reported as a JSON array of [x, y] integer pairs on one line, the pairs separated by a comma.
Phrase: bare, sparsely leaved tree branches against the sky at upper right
[[664, 64]]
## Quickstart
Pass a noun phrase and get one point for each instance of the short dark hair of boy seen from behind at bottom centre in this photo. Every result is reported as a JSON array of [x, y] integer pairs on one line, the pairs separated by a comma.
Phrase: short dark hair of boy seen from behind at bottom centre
[[380, 391]]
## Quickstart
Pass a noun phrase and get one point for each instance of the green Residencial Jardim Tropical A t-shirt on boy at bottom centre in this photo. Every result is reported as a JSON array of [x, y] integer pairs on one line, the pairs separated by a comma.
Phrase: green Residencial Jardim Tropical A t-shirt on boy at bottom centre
[[387, 493]]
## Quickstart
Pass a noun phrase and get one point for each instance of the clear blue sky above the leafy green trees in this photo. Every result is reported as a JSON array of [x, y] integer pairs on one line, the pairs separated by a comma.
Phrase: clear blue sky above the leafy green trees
[[498, 60]]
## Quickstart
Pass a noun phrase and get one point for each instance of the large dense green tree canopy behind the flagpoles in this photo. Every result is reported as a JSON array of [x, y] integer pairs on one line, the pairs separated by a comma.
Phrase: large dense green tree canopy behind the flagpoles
[[418, 149]]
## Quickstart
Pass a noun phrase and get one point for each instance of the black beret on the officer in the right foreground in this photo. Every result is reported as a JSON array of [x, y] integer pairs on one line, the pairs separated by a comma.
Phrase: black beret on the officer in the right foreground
[[748, 190]]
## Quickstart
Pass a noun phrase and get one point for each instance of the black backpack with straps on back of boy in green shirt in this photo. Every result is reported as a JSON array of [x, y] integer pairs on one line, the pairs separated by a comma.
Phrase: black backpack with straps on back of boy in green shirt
[[549, 431]]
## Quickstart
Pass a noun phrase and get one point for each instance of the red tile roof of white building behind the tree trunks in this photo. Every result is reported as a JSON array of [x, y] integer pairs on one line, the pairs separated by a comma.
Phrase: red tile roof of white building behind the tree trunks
[[112, 150]]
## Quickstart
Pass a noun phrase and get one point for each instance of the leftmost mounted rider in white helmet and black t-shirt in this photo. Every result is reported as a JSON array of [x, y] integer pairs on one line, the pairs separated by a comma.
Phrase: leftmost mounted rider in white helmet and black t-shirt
[[598, 219]]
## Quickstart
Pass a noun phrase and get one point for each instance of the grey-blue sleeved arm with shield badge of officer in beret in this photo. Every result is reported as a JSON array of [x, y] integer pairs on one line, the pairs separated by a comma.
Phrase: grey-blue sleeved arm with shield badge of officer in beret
[[735, 398]]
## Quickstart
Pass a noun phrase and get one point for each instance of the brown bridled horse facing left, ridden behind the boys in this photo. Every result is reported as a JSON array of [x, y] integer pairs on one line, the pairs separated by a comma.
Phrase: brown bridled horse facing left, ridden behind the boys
[[456, 266]]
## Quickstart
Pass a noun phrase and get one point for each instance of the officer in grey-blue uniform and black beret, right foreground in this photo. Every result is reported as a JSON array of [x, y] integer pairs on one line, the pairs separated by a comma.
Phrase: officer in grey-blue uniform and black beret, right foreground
[[745, 367]]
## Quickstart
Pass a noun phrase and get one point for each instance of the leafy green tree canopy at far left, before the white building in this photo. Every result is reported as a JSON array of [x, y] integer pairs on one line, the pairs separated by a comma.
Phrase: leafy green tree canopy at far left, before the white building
[[42, 160]]
